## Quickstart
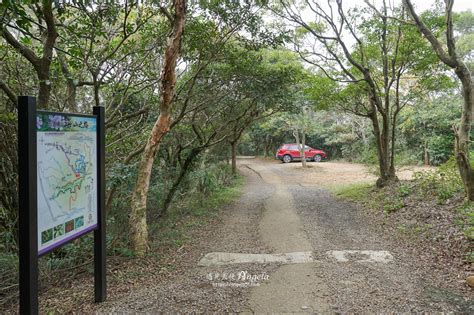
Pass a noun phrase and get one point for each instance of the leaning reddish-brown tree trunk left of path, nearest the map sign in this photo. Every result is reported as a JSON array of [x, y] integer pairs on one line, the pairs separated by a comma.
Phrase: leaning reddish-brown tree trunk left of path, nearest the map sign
[[200, 53]]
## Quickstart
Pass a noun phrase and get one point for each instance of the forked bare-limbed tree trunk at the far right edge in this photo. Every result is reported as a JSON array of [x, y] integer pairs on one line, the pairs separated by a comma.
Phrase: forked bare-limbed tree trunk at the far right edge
[[449, 56]]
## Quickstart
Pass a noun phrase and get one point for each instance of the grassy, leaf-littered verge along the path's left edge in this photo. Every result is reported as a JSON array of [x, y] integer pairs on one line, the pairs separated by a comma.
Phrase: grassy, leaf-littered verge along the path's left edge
[[73, 261]]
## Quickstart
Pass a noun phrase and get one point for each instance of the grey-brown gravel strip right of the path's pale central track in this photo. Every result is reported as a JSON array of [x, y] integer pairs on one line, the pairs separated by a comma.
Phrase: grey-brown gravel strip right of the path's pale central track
[[398, 286]]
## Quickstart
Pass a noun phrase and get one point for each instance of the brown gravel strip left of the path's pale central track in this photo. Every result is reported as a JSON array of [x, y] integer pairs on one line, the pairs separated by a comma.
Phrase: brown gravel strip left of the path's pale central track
[[188, 287]]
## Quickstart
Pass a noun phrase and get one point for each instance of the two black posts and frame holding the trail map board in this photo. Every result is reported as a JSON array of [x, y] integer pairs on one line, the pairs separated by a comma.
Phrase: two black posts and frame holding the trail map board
[[28, 206]]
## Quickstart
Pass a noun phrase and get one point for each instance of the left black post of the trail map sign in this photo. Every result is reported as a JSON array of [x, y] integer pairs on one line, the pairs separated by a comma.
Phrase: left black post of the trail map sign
[[28, 216]]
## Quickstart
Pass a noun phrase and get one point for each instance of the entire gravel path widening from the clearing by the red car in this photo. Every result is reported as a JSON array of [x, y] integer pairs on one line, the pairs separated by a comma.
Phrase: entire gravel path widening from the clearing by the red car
[[302, 250]]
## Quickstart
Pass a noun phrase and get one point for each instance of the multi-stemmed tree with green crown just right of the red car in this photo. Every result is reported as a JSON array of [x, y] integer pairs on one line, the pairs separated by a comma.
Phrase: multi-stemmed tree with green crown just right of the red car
[[369, 76]]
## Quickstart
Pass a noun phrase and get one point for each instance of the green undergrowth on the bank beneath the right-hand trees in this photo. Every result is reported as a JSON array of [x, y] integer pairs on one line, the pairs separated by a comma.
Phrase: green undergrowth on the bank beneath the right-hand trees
[[440, 189]]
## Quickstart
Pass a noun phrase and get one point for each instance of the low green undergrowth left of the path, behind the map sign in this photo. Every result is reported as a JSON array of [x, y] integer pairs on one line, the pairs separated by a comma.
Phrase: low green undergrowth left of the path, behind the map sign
[[212, 188]]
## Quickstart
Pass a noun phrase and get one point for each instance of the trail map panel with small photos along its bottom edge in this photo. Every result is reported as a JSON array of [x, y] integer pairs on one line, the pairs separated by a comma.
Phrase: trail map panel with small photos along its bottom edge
[[67, 177]]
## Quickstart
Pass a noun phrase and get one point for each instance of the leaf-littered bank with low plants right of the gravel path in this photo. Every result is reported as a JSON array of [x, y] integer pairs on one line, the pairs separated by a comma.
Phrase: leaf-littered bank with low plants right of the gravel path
[[429, 212]]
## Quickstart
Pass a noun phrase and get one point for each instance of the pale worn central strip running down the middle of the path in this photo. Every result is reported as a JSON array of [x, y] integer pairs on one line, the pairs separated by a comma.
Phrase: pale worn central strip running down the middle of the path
[[293, 287]]
